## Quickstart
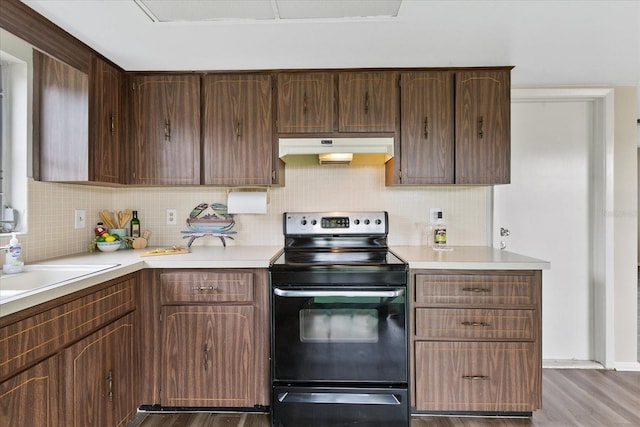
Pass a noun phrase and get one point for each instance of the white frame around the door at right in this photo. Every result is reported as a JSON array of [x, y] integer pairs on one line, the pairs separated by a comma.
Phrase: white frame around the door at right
[[602, 219]]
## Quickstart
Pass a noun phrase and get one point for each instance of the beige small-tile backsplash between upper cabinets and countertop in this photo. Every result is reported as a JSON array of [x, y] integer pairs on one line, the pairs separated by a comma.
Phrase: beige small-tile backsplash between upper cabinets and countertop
[[309, 187]]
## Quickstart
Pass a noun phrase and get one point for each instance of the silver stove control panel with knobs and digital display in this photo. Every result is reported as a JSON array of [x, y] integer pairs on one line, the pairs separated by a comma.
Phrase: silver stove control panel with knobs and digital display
[[341, 223]]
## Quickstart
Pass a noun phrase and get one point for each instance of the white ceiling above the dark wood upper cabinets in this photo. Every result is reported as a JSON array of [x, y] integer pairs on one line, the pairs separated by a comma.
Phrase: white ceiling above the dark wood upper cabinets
[[549, 42]]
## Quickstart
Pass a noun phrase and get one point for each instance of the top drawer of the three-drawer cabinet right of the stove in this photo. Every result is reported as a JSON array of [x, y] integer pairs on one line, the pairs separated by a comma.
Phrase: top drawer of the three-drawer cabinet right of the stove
[[475, 289]]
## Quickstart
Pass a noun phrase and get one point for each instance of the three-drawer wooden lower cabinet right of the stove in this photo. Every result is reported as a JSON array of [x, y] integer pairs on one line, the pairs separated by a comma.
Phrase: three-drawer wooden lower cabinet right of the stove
[[476, 341]]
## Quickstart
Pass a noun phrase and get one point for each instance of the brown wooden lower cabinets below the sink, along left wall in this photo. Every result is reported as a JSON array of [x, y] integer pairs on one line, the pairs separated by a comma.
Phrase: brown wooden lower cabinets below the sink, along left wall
[[69, 362]]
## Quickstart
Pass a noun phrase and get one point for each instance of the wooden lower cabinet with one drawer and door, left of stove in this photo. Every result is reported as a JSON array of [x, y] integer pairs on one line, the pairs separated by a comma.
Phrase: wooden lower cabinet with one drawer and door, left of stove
[[214, 341]]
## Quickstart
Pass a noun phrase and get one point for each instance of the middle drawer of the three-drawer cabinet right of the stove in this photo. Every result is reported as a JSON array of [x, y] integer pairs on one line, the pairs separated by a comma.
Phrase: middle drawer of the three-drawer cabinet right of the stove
[[434, 323]]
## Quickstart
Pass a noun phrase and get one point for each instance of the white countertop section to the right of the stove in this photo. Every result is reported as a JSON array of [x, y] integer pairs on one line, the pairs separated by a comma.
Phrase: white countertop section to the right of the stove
[[467, 258]]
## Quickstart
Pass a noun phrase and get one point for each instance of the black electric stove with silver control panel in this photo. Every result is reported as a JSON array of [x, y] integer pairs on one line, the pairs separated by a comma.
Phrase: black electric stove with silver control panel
[[339, 341]]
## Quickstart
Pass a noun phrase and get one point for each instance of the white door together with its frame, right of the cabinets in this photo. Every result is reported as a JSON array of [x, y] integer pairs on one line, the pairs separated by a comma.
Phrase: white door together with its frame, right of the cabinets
[[554, 210]]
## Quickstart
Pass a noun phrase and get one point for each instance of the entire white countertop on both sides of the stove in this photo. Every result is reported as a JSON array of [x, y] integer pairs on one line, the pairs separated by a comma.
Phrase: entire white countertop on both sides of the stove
[[123, 262]]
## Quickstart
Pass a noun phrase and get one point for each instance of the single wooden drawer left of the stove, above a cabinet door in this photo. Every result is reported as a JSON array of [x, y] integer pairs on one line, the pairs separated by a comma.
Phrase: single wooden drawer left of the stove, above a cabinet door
[[198, 286]]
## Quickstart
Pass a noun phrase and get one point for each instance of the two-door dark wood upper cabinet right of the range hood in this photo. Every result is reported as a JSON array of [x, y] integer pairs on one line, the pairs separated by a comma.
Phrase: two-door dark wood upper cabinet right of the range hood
[[455, 128]]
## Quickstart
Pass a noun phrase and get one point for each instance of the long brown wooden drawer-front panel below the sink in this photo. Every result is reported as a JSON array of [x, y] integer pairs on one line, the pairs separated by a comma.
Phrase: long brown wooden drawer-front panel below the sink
[[44, 333]]
